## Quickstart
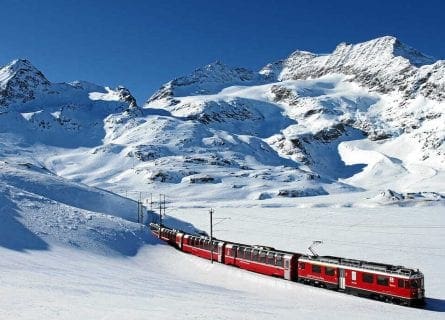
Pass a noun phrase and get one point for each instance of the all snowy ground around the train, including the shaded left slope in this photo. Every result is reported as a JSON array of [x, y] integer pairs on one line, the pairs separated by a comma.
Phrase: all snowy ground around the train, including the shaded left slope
[[69, 251]]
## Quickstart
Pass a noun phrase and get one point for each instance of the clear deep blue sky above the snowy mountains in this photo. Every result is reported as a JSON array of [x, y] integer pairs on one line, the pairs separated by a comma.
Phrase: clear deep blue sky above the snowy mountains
[[142, 44]]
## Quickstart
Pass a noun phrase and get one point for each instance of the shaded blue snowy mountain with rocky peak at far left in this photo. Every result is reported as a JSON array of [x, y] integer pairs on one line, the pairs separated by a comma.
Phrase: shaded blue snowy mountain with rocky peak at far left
[[61, 114]]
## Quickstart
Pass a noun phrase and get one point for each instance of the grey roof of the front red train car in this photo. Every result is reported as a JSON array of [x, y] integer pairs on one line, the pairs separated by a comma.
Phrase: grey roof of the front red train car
[[366, 265]]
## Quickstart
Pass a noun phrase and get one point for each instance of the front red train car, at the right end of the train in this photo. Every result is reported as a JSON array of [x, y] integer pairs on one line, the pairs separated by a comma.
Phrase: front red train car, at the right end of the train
[[369, 279]]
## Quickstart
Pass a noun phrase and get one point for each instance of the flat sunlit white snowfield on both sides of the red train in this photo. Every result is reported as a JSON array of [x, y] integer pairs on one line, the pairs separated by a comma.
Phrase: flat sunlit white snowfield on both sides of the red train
[[161, 282]]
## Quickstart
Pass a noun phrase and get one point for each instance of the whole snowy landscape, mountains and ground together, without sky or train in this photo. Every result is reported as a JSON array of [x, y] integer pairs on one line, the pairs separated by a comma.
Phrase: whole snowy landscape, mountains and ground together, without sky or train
[[347, 148]]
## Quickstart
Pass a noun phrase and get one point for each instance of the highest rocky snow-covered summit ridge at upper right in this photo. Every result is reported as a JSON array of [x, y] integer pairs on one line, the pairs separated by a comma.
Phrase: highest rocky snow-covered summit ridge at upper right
[[383, 64]]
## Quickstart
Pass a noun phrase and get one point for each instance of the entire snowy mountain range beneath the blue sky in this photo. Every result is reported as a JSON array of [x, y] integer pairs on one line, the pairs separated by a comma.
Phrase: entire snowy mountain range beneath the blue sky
[[297, 127]]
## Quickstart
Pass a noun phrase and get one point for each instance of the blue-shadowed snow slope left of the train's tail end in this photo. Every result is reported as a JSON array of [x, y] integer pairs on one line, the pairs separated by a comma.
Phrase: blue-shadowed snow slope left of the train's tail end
[[39, 208]]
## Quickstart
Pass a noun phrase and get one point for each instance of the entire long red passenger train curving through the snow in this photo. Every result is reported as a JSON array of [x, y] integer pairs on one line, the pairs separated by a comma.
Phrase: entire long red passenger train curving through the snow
[[384, 282]]
